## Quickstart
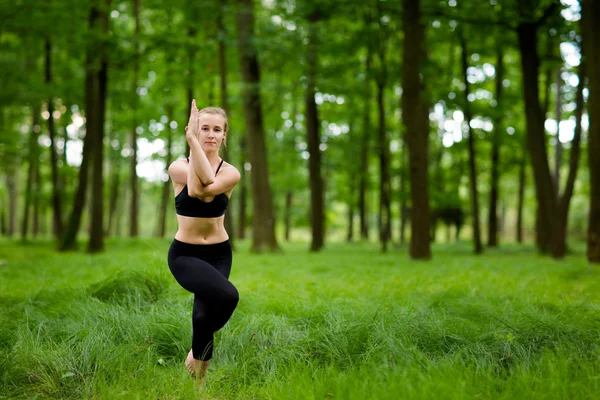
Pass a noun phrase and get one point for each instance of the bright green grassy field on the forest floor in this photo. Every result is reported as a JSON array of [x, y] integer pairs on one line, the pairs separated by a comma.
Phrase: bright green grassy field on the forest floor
[[348, 323]]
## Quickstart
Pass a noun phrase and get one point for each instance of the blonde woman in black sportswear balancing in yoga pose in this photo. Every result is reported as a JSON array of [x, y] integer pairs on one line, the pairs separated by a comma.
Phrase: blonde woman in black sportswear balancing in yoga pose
[[200, 255]]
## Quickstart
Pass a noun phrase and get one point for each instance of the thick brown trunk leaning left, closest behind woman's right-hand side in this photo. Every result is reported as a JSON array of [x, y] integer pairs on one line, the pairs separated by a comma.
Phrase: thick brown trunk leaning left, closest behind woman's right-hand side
[[263, 234]]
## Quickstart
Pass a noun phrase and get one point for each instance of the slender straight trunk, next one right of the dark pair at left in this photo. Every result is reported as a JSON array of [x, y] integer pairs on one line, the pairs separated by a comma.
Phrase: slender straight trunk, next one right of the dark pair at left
[[134, 206]]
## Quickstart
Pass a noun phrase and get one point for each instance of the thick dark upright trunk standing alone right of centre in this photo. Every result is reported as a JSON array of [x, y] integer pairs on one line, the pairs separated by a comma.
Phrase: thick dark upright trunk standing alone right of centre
[[416, 120]]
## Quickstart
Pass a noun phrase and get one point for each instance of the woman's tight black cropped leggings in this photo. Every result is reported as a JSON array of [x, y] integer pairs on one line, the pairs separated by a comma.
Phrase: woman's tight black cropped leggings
[[203, 269]]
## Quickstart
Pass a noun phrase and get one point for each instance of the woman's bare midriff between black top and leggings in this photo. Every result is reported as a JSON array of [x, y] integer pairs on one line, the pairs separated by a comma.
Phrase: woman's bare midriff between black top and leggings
[[201, 230]]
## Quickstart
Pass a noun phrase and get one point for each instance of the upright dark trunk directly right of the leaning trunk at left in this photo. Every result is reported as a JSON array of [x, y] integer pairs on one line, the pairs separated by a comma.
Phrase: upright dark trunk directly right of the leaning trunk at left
[[98, 103]]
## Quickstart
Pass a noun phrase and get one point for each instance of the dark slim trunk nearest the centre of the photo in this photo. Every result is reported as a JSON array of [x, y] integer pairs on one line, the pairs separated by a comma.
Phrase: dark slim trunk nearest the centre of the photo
[[313, 139]]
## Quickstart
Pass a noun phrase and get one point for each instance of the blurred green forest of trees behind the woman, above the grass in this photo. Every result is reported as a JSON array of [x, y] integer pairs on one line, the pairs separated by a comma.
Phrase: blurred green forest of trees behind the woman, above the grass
[[397, 122]]
